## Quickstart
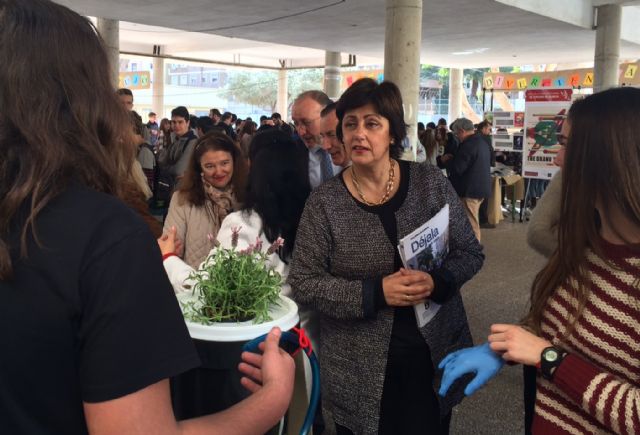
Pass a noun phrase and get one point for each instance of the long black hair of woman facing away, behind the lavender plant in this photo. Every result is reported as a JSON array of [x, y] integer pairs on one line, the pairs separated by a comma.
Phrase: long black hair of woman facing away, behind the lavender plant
[[278, 186]]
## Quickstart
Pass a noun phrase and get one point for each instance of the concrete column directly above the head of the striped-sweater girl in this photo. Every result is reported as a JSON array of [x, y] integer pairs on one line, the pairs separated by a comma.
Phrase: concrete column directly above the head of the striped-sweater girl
[[607, 56]]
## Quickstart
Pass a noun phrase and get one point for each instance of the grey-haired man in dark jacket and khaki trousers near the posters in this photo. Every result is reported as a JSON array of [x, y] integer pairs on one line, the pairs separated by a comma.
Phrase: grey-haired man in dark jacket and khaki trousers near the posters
[[469, 170]]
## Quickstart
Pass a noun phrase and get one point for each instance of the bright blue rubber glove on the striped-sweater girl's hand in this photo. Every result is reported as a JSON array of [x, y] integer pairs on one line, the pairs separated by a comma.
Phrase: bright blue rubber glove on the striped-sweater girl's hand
[[480, 360]]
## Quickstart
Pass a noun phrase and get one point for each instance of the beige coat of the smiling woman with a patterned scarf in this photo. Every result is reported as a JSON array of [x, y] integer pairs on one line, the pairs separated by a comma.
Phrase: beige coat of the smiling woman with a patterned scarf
[[193, 225]]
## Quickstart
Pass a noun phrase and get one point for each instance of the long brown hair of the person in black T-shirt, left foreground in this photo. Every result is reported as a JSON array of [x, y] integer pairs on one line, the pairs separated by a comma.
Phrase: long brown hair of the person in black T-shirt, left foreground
[[60, 118]]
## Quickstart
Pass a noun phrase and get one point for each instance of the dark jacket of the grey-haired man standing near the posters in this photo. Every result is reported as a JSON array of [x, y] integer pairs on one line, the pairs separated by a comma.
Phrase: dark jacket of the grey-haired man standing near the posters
[[469, 169]]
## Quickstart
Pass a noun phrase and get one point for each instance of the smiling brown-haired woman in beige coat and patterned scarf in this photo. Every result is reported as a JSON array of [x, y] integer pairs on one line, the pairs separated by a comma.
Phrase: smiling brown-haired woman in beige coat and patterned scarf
[[213, 186]]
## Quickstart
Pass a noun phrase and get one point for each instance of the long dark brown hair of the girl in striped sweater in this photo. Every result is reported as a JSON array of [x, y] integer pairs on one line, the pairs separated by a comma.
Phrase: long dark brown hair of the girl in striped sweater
[[602, 167]]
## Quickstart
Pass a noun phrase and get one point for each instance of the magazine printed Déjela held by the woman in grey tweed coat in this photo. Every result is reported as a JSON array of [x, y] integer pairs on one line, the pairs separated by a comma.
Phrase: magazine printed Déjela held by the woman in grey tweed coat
[[425, 249]]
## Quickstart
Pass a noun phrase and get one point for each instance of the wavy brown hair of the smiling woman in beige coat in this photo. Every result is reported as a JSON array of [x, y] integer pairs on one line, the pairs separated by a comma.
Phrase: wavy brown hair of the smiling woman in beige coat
[[191, 186]]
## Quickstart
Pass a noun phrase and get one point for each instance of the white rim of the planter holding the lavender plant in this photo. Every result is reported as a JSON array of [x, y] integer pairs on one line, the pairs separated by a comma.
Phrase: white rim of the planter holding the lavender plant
[[283, 315]]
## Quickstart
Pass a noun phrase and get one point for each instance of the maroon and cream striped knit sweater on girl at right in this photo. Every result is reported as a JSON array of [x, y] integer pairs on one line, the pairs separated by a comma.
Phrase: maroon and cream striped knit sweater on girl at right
[[596, 389]]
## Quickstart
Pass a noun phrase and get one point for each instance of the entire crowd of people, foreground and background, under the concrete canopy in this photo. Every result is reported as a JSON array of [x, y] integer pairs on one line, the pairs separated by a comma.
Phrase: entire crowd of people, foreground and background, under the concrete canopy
[[90, 276]]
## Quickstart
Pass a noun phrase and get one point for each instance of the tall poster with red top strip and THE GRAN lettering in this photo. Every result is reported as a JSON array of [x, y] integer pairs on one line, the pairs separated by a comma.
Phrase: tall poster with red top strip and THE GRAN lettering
[[545, 112]]
